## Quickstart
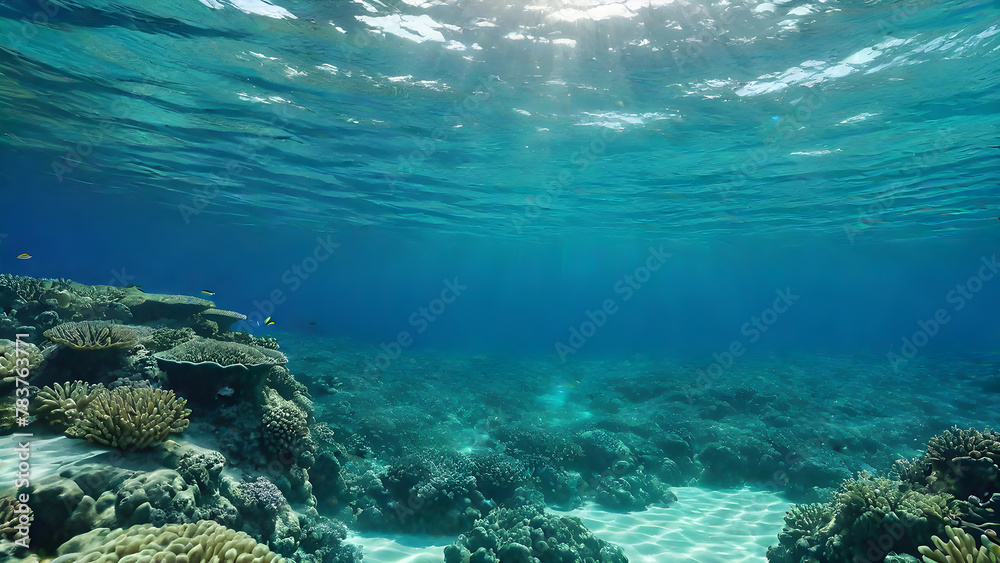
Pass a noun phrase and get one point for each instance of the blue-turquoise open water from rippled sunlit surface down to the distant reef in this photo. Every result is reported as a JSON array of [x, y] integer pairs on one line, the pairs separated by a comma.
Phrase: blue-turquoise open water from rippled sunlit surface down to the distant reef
[[842, 152]]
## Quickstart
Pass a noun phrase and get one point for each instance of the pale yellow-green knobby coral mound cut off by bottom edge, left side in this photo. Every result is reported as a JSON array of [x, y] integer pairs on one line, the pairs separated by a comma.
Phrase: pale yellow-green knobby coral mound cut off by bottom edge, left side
[[201, 542]]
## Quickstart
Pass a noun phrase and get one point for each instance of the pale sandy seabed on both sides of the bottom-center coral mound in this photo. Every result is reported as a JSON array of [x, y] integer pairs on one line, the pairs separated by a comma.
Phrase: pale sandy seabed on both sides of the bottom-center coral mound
[[703, 526]]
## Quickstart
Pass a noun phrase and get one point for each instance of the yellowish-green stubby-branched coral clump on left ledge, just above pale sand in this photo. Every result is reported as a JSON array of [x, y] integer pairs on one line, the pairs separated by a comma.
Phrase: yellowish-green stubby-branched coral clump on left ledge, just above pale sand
[[125, 418]]
